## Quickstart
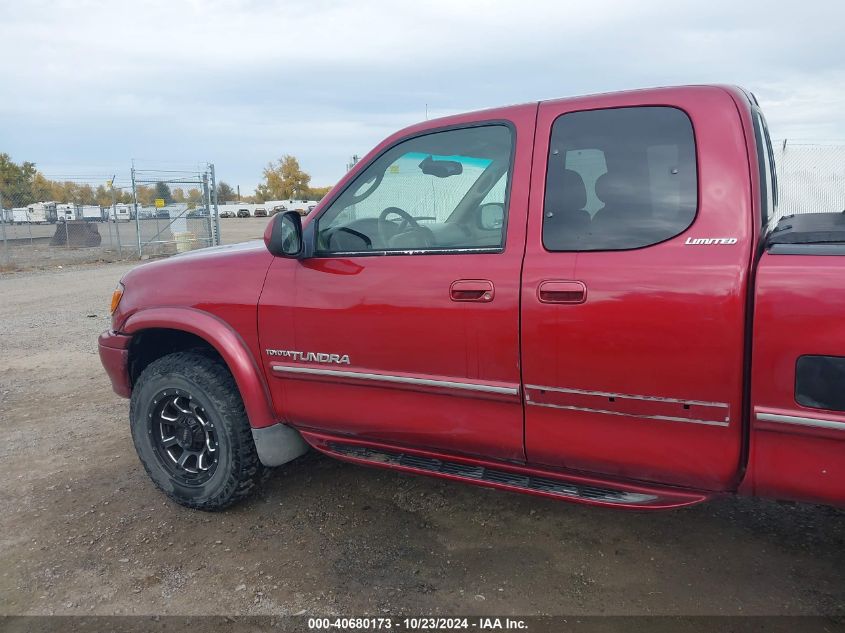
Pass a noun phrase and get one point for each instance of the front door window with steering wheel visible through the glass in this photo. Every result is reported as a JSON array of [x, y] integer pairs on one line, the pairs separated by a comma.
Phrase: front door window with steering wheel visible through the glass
[[425, 194]]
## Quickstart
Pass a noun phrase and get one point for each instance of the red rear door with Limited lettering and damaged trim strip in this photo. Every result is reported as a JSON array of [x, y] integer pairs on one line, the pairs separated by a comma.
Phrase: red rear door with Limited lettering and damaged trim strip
[[634, 286]]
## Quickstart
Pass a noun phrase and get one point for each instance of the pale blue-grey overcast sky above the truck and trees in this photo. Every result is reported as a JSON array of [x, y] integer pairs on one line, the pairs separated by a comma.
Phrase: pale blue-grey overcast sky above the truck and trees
[[87, 86]]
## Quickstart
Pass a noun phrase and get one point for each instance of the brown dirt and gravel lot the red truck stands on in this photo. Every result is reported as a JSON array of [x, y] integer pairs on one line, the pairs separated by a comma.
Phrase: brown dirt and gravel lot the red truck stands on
[[82, 531]]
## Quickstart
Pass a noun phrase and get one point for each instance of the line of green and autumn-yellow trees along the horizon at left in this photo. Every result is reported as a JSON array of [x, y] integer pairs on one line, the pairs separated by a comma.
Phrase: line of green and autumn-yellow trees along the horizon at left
[[22, 184]]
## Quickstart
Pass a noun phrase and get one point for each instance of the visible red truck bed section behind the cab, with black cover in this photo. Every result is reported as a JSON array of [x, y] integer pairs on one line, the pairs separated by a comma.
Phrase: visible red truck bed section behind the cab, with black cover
[[798, 362]]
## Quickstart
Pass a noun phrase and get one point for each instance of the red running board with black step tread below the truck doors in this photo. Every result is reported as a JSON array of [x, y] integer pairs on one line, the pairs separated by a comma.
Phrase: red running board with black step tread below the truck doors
[[519, 479]]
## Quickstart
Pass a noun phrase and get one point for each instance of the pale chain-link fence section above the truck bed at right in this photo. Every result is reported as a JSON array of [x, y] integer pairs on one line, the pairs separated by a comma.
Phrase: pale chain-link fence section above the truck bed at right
[[811, 177]]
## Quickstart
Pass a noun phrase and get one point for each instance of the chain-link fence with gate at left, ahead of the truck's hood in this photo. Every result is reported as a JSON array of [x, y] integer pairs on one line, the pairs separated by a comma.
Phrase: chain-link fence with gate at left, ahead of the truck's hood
[[66, 219]]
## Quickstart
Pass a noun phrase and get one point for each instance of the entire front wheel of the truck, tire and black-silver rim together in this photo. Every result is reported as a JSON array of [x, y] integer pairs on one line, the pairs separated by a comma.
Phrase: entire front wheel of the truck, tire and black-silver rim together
[[191, 432]]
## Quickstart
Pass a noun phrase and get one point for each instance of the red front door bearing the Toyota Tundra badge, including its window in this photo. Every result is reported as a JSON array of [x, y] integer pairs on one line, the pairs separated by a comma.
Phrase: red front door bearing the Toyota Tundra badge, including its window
[[404, 328]]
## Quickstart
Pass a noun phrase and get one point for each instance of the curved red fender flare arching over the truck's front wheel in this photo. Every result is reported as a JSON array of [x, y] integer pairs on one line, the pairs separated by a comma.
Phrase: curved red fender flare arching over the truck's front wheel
[[228, 343]]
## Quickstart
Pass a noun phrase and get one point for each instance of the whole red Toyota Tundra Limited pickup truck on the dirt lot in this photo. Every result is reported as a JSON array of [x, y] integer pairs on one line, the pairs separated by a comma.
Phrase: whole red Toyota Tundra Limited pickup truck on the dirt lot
[[586, 299]]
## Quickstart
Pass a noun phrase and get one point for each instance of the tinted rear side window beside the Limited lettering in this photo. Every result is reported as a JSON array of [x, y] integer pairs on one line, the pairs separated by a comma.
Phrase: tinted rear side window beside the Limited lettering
[[619, 179]]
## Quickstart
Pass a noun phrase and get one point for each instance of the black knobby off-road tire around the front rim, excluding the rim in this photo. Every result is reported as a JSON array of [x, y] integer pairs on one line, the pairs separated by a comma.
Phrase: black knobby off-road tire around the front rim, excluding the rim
[[238, 470]]
